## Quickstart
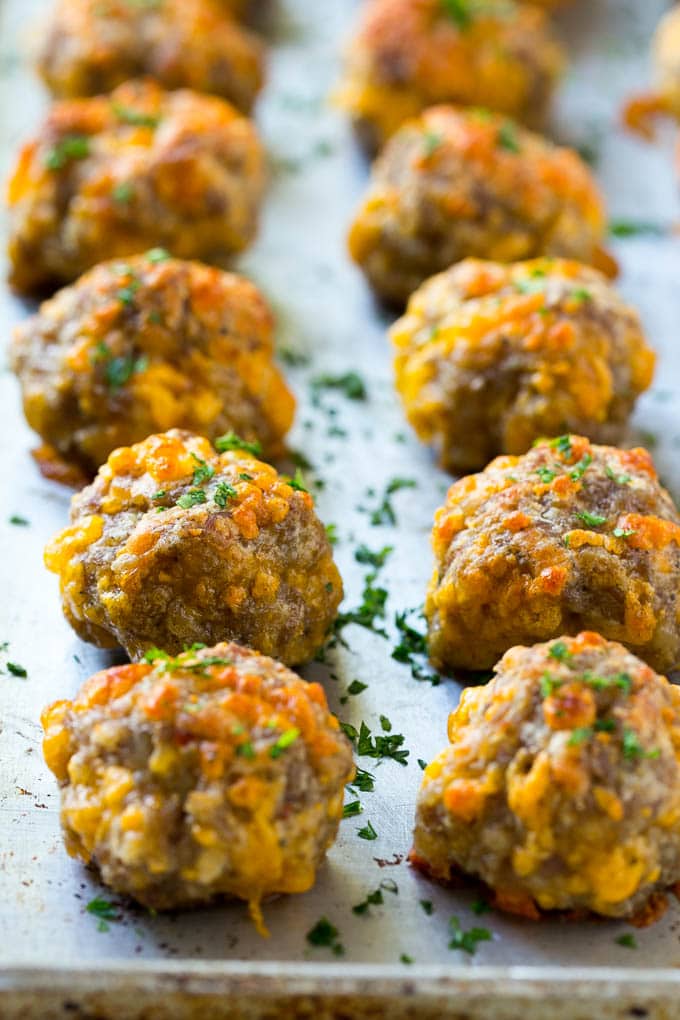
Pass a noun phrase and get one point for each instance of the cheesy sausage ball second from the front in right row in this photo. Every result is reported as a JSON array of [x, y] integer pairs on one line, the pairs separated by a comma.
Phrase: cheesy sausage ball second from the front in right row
[[569, 537]]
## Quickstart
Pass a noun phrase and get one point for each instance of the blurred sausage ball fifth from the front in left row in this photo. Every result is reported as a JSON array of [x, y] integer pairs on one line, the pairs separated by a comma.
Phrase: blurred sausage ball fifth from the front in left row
[[90, 47]]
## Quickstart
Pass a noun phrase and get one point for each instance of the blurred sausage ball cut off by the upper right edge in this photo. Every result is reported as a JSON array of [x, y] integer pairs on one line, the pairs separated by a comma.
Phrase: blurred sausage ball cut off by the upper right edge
[[642, 112]]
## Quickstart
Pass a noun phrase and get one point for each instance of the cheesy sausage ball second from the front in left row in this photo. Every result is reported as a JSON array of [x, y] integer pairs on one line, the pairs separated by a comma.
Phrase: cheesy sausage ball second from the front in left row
[[174, 544]]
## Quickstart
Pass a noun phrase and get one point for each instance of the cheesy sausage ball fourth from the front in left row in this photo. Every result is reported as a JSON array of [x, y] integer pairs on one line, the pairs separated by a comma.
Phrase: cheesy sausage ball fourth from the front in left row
[[117, 175]]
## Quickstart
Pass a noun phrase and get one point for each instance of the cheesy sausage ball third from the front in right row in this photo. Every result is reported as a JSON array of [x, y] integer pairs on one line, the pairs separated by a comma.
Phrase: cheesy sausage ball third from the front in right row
[[491, 358]]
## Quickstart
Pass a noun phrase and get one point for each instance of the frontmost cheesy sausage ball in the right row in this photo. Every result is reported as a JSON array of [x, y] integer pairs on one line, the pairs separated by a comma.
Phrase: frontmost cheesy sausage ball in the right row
[[561, 786]]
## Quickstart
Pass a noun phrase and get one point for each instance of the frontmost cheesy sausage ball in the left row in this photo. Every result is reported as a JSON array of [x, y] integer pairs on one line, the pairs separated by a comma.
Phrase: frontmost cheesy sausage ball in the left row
[[216, 774]]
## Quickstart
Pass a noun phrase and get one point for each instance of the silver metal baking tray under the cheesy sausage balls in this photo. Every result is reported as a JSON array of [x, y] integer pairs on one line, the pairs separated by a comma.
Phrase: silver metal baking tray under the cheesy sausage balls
[[55, 959]]
